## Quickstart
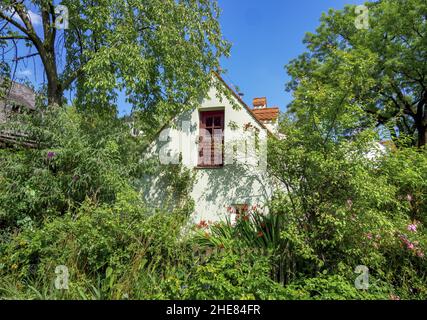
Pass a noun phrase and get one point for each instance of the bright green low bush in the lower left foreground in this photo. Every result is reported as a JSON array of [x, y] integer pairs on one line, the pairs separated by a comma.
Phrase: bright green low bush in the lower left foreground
[[103, 246]]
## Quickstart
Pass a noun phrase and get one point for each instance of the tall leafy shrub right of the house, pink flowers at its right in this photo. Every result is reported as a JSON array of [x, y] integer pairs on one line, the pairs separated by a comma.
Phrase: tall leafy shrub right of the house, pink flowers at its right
[[344, 206]]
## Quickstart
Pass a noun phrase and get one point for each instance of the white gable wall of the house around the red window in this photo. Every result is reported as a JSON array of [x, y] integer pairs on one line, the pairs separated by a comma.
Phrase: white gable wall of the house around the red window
[[242, 179]]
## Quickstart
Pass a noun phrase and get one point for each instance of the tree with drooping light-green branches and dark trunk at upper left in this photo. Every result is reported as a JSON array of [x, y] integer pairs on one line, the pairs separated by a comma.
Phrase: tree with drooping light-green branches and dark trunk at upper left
[[159, 52]]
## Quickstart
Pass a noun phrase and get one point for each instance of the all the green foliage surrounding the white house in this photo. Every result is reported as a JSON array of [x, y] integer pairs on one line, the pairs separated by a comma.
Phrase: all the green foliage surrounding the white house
[[74, 200]]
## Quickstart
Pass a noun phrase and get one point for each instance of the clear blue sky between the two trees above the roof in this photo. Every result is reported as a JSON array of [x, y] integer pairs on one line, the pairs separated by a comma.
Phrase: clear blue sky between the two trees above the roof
[[265, 36]]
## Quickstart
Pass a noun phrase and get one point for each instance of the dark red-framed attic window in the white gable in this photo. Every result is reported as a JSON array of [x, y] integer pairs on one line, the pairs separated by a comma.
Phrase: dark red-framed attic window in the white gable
[[211, 139]]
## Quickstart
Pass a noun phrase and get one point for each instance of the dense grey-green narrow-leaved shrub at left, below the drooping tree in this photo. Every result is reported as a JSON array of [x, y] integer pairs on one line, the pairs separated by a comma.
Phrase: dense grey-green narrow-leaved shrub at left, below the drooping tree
[[72, 164]]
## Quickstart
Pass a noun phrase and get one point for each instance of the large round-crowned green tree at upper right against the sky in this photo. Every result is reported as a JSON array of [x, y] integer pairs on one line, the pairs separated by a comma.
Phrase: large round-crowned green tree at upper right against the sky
[[379, 71]]
